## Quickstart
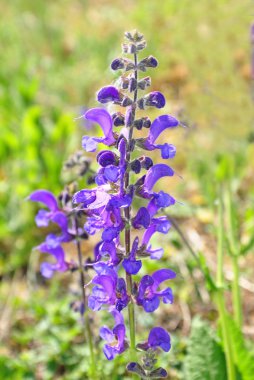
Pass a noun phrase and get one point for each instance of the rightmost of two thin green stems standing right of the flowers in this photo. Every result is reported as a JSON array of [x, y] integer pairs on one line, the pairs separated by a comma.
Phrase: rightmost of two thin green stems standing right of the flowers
[[234, 248]]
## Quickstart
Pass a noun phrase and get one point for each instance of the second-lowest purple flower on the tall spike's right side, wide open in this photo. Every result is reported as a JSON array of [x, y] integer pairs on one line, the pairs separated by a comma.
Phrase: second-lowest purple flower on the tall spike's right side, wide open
[[148, 295]]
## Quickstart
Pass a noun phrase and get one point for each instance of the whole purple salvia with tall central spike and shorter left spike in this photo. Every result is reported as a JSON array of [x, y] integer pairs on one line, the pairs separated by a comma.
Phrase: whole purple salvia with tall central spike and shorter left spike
[[107, 208]]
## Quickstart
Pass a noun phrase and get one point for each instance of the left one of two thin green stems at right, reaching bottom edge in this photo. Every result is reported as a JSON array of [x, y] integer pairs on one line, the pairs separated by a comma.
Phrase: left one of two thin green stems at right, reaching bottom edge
[[219, 296]]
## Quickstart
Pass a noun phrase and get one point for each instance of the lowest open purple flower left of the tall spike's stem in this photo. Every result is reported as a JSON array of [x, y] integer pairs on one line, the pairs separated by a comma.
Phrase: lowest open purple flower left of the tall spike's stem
[[116, 341]]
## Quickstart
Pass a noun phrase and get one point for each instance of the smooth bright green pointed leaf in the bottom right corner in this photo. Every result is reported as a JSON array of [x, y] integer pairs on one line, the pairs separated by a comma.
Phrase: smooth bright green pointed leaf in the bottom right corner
[[243, 358]]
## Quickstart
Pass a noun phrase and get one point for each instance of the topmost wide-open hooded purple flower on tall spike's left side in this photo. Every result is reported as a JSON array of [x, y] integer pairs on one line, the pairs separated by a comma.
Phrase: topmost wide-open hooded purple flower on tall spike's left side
[[103, 118]]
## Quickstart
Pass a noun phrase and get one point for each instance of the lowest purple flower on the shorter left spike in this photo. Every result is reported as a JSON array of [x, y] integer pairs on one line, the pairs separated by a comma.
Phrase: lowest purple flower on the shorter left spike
[[47, 269]]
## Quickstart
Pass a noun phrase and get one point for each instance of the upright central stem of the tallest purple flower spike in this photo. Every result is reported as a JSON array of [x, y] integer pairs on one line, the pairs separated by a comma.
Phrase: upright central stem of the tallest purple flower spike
[[127, 213]]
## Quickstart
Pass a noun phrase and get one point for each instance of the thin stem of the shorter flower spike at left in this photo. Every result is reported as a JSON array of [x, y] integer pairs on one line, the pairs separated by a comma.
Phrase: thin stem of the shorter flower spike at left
[[86, 321]]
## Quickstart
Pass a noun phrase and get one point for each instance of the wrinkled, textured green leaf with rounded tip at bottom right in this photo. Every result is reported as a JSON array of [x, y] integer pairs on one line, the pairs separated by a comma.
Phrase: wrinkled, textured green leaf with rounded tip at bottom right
[[205, 359]]
